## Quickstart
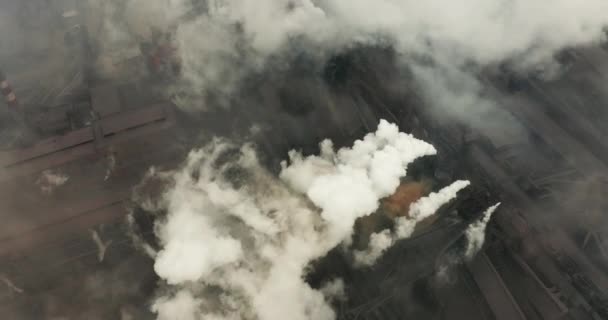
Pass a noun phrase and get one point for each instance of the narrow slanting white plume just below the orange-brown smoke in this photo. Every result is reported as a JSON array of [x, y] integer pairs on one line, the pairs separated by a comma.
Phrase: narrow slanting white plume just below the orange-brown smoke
[[405, 226]]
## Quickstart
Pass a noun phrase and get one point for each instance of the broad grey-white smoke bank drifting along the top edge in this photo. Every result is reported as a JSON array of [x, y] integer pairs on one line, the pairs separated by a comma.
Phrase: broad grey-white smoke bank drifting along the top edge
[[443, 43]]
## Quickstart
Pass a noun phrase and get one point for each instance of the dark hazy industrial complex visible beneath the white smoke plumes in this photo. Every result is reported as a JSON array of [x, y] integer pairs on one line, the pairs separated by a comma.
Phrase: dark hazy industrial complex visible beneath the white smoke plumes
[[90, 130]]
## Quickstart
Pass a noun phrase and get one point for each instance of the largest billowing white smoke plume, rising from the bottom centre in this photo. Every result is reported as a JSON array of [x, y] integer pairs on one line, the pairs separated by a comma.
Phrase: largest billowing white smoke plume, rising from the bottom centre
[[237, 240]]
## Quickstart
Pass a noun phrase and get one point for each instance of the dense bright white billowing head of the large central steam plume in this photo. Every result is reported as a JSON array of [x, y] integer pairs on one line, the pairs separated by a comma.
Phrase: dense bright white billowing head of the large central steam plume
[[347, 184]]
